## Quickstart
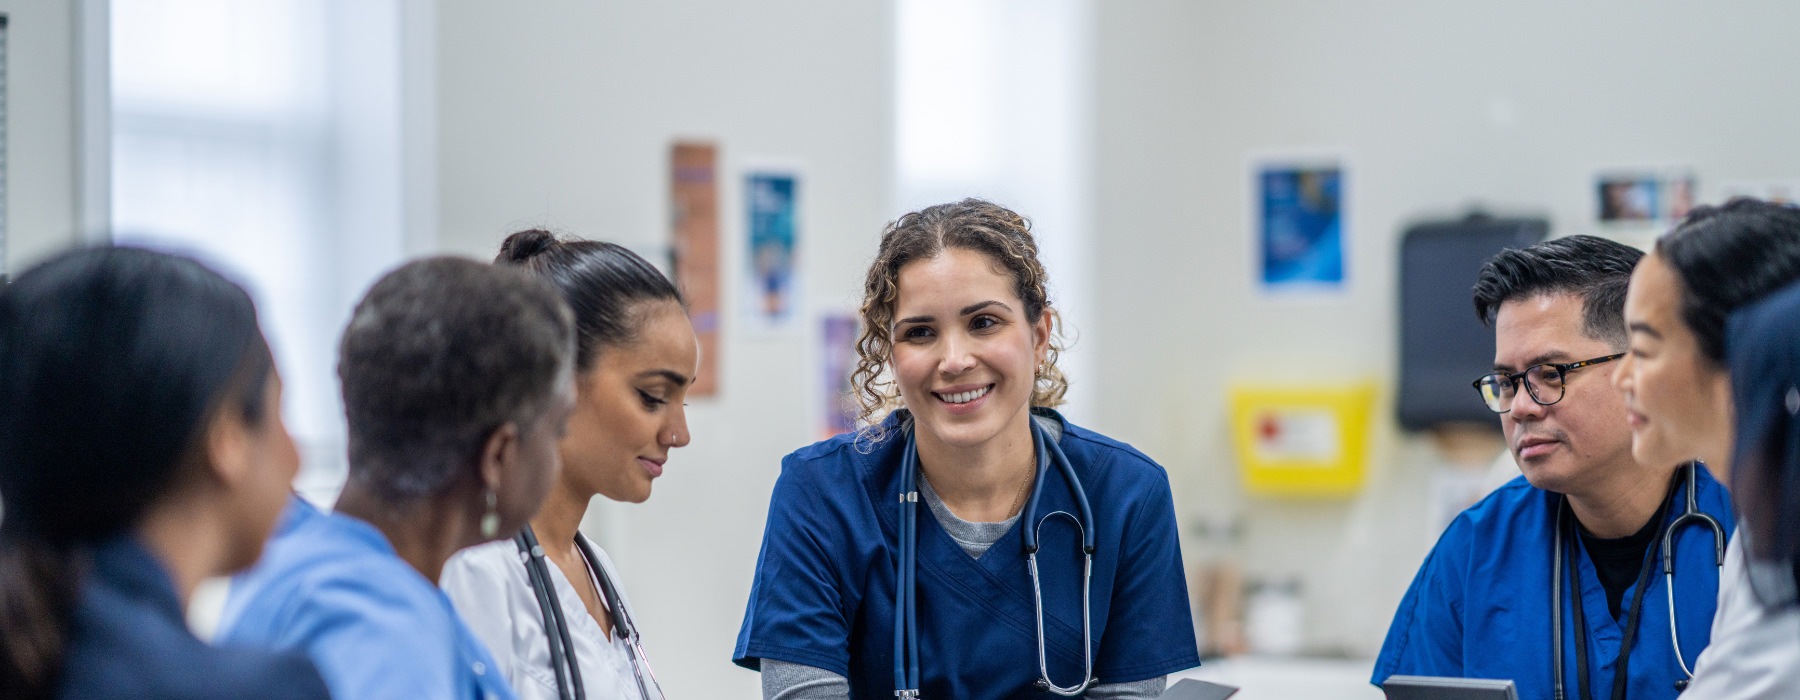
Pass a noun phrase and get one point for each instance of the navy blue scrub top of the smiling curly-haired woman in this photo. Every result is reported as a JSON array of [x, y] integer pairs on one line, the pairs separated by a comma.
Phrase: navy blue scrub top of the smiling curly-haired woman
[[825, 580]]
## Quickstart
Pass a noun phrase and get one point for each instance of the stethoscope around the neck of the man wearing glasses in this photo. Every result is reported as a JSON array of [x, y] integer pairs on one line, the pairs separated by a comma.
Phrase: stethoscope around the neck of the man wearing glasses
[[1691, 516]]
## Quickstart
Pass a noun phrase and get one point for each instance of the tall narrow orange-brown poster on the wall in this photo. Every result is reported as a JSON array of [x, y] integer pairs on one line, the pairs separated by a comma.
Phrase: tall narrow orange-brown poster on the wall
[[694, 206]]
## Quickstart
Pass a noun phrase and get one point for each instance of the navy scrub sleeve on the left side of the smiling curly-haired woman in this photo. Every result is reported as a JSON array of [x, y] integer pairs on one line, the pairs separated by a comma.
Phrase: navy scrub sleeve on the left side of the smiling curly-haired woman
[[798, 609]]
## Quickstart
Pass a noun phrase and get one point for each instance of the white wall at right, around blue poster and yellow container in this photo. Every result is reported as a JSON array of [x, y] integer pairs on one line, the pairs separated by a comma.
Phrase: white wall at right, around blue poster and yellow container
[[1439, 105]]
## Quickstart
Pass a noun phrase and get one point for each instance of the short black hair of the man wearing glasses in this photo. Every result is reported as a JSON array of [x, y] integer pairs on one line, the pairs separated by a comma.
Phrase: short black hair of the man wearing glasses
[[1590, 267]]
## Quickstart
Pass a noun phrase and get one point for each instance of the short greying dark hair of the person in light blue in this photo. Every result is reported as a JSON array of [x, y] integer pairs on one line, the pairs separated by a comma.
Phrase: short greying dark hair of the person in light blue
[[438, 355]]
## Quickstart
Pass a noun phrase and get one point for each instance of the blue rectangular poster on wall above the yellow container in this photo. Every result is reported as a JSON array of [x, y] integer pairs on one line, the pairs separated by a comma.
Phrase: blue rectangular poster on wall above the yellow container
[[1300, 228]]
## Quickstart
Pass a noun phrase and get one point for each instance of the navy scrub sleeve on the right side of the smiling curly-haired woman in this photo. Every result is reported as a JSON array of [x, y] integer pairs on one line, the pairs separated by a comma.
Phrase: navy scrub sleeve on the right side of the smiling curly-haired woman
[[1151, 627]]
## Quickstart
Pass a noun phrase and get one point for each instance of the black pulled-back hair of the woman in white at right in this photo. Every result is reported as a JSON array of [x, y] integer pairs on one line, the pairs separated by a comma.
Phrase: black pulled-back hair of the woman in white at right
[[1727, 258]]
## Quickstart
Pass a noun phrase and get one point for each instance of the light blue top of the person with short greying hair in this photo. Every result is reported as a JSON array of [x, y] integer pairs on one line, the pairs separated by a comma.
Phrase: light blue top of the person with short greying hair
[[334, 588]]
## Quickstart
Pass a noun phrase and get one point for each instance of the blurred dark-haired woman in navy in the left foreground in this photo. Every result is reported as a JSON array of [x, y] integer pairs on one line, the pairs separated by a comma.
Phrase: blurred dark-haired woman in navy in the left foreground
[[141, 451]]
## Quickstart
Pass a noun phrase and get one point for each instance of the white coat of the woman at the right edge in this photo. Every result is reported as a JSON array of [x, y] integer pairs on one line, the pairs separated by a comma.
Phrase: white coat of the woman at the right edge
[[1756, 651]]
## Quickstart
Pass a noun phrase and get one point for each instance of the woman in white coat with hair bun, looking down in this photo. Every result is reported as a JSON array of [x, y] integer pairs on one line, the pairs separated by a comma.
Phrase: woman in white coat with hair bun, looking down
[[559, 624]]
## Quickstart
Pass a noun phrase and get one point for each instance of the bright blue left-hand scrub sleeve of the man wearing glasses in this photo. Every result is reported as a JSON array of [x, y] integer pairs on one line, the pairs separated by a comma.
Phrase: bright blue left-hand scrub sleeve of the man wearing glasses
[[1426, 634]]
